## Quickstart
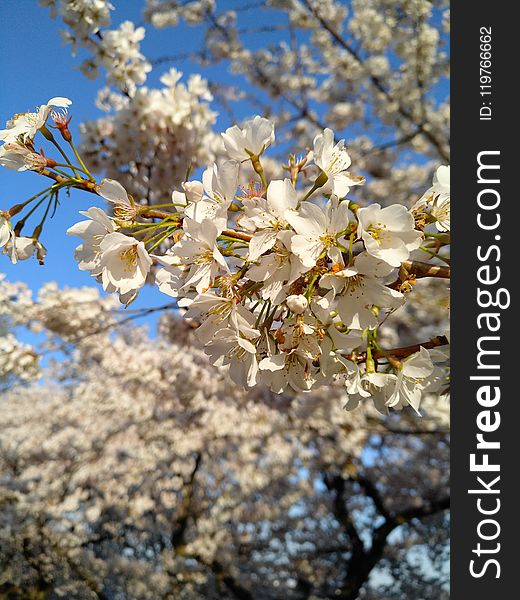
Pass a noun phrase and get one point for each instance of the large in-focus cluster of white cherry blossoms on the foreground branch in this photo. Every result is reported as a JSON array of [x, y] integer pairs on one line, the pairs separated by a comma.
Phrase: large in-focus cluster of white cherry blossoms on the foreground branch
[[287, 286]]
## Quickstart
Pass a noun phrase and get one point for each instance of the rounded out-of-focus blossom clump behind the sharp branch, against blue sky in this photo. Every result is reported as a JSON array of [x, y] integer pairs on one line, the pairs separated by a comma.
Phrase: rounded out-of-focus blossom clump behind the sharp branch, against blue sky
[[149, 141]]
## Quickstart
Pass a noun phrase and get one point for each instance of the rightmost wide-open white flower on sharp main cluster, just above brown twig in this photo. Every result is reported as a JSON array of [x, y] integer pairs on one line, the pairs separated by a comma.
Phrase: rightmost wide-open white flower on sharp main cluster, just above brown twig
[[388, 233]]
